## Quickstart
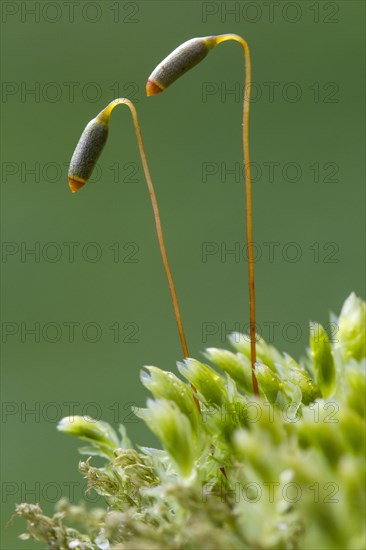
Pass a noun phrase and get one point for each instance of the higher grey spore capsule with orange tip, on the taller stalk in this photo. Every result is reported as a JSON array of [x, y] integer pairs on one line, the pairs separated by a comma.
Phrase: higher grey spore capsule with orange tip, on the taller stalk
[[183, 58]]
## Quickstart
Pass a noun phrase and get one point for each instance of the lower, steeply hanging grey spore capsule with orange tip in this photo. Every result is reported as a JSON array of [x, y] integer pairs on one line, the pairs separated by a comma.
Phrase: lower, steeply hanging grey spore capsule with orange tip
[[87, 152]]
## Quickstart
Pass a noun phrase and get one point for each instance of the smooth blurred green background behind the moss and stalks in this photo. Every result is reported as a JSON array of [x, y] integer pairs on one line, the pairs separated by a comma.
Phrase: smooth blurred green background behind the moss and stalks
[[103, 311]]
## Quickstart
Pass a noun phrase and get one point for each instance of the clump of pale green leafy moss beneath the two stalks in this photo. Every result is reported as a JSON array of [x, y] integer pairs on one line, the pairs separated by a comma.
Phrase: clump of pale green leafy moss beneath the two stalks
[[294, 458]]
